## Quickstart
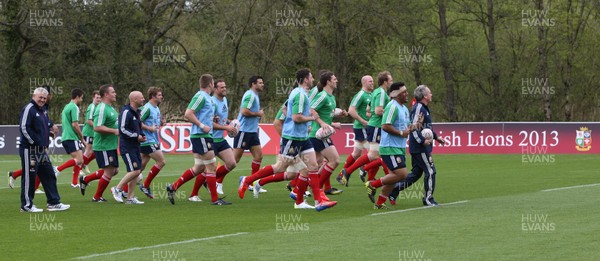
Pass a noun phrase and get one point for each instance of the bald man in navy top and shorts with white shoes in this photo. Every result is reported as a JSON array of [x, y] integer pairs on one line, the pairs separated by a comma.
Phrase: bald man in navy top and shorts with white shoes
[[130, 132]]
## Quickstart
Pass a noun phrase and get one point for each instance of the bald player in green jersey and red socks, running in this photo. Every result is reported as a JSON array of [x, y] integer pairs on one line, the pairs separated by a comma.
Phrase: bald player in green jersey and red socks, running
[[358, 111]]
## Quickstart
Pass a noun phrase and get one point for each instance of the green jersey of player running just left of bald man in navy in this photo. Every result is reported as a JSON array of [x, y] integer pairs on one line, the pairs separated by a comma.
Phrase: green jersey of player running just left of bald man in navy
[[105, 115]]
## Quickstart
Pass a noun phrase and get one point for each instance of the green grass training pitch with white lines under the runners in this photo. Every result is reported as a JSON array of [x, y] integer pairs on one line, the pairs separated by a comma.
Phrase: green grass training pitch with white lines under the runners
[[494, 208]]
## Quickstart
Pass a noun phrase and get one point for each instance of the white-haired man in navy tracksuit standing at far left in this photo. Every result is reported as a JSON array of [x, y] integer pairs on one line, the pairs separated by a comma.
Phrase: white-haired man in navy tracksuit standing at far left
[[35, 131]]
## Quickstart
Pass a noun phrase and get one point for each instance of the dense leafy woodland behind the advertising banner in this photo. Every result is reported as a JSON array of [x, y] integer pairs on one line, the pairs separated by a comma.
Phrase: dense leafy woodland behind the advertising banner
[[484, 60]]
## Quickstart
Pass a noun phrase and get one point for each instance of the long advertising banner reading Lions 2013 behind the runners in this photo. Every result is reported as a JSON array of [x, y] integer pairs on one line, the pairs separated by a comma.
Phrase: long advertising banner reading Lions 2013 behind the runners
[[461, 138]]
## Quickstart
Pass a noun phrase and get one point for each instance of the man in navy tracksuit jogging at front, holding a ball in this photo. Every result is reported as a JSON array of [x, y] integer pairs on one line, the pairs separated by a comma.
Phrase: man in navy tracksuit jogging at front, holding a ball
[[420, 150]]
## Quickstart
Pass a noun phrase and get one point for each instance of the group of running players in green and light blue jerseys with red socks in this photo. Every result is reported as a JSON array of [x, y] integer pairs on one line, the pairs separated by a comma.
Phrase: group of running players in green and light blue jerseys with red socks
[[305, 122]]
